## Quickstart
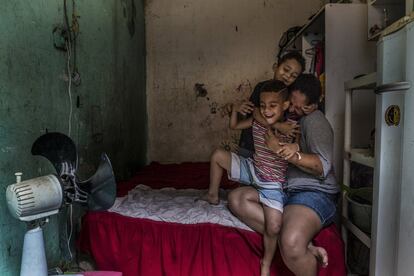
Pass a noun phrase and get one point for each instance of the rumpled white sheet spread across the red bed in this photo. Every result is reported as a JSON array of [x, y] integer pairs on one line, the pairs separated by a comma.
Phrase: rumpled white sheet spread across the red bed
[[175, 205]]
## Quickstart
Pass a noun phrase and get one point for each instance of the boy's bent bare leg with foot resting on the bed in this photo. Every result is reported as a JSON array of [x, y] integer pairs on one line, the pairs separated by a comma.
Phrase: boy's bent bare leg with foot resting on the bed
[[220, 160]]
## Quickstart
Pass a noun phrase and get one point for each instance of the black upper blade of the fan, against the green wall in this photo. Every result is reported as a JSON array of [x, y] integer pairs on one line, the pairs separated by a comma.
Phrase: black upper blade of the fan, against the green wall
[[59, 149]]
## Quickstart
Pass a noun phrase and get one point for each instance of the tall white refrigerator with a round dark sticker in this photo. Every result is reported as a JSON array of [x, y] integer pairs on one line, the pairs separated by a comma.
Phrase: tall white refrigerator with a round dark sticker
[[392, 250]]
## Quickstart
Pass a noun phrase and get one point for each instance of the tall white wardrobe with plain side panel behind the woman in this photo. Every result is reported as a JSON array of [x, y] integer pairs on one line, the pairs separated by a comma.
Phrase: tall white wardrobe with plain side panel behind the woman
[[347, 53]]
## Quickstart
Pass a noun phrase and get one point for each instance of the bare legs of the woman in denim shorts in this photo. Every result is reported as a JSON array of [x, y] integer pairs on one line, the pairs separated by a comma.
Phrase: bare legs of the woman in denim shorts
[[296, 244]]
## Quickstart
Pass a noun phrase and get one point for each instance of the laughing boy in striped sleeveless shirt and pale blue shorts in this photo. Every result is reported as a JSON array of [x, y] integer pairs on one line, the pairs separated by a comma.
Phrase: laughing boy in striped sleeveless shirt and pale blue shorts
[[266, 171]]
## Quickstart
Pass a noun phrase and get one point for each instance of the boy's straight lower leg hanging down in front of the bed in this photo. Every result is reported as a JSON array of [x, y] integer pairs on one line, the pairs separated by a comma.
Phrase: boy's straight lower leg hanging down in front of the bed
[[273, 222]]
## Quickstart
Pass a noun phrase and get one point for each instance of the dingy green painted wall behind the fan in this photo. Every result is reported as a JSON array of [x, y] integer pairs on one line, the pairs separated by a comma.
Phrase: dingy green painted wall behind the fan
[[109, 116]]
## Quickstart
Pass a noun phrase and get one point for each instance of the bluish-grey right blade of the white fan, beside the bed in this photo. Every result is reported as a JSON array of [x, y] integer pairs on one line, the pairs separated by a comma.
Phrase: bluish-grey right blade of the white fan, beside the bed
[[101, 187]]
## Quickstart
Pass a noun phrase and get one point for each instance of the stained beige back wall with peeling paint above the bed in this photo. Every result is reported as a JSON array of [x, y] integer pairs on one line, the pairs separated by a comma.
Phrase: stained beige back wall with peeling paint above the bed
[[202, 55]]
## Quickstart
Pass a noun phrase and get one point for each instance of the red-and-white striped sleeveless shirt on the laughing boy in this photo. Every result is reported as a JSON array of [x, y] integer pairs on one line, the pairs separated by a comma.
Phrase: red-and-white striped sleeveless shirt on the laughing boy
[[269, 167]]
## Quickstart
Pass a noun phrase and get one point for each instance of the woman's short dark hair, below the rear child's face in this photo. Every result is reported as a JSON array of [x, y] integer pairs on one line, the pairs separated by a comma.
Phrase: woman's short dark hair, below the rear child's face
[[309, 85]]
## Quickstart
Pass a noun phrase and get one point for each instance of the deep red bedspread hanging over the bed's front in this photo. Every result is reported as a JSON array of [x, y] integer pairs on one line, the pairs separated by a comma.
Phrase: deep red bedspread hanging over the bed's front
[[145, 247]]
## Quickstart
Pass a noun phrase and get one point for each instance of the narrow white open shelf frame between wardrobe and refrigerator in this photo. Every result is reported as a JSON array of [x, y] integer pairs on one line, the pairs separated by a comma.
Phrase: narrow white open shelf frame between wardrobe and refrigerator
[[364, 84]]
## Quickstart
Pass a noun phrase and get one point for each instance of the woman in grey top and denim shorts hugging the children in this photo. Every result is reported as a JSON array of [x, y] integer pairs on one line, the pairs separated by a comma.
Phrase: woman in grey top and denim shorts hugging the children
[[311, 190]]
